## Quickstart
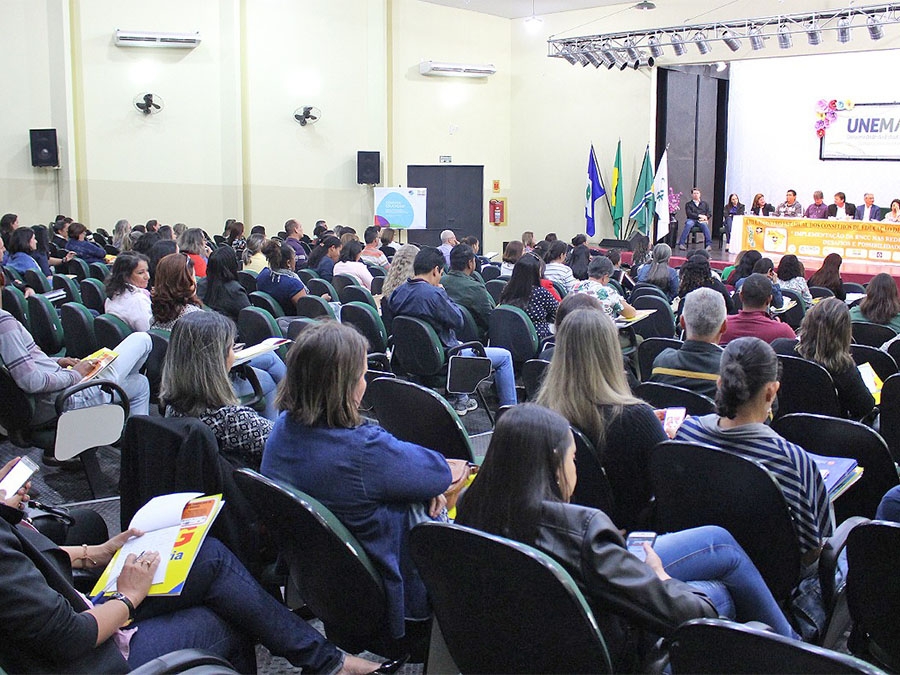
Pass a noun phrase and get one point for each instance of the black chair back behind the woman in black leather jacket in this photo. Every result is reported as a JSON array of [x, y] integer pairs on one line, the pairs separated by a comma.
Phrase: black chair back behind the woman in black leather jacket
[[504, 607]]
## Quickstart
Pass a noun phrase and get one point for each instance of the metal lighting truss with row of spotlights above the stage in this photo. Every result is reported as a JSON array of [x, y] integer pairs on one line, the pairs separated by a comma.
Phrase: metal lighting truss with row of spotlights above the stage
[[629, 50]]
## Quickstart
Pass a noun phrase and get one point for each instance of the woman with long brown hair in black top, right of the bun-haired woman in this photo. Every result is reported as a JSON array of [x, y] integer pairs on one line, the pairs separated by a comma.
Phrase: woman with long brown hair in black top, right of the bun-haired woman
[[825, 337]]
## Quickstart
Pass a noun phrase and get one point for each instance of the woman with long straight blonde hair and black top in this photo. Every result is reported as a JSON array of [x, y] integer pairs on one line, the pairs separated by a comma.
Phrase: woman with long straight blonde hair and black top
[[586, 384]]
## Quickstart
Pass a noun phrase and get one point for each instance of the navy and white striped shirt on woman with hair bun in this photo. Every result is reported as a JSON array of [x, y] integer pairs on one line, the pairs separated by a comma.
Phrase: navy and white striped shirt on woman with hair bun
[[796, 472]]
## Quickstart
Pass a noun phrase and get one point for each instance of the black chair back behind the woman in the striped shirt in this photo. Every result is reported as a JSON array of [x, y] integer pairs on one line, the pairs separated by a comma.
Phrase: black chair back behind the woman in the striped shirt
[[698, 485]]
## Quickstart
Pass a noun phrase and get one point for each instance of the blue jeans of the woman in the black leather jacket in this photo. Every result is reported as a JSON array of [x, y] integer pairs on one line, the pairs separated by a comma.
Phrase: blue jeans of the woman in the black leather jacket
[[710, 554]]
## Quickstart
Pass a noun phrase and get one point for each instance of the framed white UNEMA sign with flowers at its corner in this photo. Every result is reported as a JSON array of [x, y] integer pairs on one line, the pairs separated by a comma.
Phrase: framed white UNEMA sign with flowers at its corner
[[867, 131]]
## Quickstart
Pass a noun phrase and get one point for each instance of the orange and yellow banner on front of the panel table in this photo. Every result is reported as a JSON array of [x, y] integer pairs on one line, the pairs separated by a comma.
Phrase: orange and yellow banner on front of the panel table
[[851, 239]]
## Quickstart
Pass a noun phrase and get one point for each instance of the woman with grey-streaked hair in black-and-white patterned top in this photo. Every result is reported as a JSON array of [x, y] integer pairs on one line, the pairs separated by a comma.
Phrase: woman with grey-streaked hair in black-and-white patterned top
[[195, 383]]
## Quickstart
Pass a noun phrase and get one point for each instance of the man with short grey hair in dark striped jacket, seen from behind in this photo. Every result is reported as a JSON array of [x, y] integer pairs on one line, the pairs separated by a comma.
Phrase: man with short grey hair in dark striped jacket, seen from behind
[[695, 365]]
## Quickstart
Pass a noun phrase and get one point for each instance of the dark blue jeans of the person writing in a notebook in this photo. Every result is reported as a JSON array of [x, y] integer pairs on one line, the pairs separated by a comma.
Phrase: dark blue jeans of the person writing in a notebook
[[224, 610]]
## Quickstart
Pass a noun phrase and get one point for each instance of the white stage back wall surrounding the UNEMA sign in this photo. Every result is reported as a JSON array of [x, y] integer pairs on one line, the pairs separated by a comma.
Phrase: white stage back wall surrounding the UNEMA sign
[[772, 143]]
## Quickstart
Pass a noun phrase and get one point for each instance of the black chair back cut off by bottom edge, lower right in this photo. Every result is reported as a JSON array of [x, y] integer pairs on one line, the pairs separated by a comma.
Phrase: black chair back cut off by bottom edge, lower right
[[716, 646]]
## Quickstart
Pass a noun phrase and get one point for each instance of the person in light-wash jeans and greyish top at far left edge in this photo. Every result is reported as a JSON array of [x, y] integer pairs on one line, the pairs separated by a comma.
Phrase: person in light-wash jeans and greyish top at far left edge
[[45, 378]]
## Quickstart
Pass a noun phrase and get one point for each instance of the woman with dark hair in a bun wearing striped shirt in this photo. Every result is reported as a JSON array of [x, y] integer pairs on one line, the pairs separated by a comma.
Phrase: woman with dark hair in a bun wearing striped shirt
[[748, 385]]
